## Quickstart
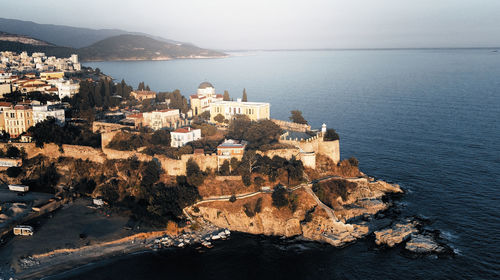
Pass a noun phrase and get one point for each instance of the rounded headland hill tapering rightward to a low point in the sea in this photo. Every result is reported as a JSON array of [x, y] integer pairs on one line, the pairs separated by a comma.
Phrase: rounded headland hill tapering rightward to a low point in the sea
[[138, 47]]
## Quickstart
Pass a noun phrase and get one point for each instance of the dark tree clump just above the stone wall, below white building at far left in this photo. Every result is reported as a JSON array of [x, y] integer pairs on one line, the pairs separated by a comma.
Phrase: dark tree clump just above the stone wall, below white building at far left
[[48, 131]]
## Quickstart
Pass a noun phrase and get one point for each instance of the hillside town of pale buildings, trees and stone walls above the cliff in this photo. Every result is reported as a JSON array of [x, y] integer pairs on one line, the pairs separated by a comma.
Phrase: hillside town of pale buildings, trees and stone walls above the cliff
[[144, 160]]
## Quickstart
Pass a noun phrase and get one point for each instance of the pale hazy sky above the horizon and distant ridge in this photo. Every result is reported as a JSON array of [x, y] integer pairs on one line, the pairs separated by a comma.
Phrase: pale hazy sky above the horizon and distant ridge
[[271, 24]]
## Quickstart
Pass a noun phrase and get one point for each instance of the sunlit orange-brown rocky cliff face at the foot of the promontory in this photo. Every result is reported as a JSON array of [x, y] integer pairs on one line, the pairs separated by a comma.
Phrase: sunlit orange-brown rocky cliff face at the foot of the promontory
[[309, 220]]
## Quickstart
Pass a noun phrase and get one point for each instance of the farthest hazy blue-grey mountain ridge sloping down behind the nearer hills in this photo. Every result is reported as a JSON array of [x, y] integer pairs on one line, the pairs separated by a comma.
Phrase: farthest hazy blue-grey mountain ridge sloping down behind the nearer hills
[[62, 35]]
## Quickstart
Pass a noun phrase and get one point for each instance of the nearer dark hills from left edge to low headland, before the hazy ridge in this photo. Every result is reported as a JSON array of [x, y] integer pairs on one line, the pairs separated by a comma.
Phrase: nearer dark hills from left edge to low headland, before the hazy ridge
[[121, 47]]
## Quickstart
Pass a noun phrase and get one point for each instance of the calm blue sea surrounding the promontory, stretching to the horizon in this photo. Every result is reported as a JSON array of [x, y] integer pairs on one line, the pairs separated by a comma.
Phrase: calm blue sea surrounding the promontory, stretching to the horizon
[[426, 119]]
